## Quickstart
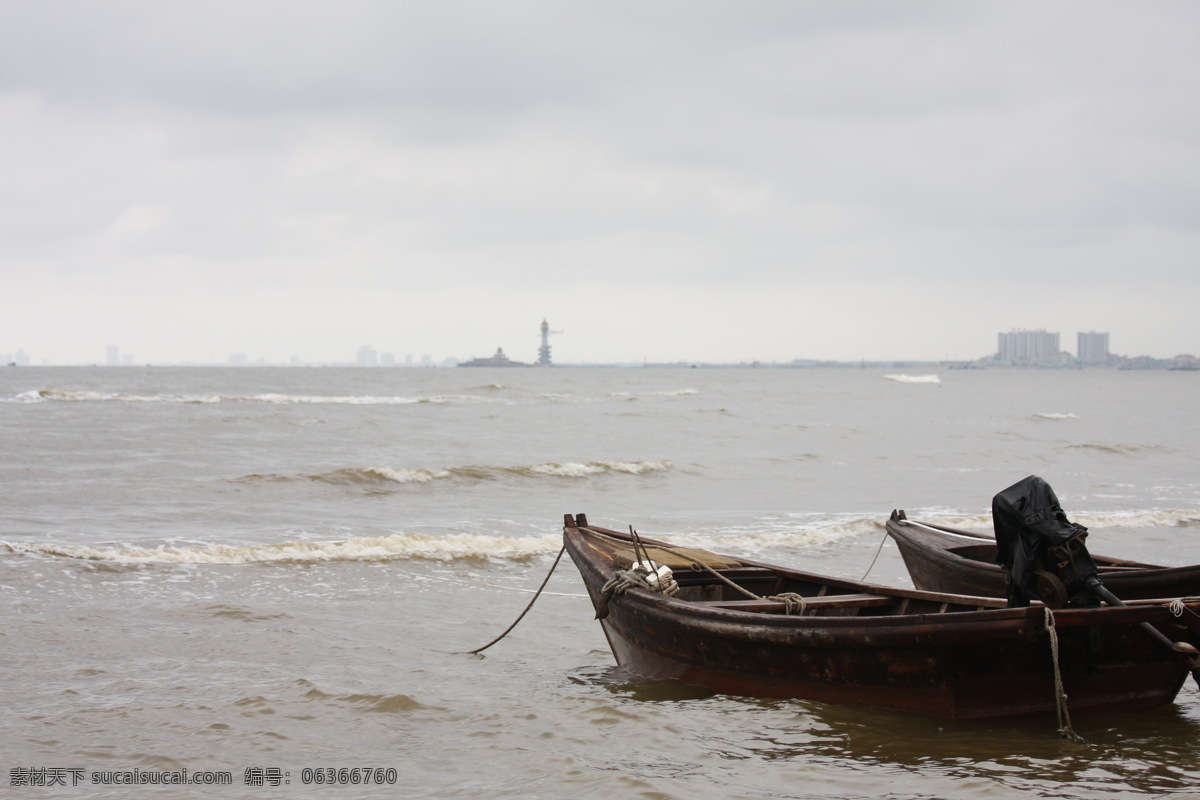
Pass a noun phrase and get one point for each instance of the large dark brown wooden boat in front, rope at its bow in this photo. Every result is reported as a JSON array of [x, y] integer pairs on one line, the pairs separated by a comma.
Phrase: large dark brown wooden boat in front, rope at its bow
[[850, 642]]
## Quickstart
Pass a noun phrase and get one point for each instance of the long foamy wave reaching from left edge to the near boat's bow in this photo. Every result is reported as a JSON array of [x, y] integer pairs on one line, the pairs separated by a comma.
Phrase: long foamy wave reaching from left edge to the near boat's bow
[[361, 549]]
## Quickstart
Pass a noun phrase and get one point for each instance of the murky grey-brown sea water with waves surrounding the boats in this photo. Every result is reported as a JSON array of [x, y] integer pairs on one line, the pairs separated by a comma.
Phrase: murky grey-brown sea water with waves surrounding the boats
[[265, 581]]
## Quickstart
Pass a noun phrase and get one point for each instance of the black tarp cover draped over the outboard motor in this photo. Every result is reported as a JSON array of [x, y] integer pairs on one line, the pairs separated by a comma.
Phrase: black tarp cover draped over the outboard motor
[[1028, 520]]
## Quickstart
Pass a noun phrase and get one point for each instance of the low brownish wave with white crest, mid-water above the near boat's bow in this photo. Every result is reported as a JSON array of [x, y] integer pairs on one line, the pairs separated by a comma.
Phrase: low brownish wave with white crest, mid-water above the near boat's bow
[[377, 477]]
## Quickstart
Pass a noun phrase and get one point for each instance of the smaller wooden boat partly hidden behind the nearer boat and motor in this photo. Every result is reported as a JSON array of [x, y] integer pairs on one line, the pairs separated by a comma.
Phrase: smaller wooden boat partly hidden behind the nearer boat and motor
[[963, 562]]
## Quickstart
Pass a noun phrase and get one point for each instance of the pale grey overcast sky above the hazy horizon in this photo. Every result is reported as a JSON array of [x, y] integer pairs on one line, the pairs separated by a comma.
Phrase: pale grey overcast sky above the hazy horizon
[[686, 181]]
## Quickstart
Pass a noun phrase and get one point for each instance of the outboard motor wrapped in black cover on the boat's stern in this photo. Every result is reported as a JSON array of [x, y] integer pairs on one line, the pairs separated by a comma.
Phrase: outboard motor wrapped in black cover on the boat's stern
[[1042, 552]]
